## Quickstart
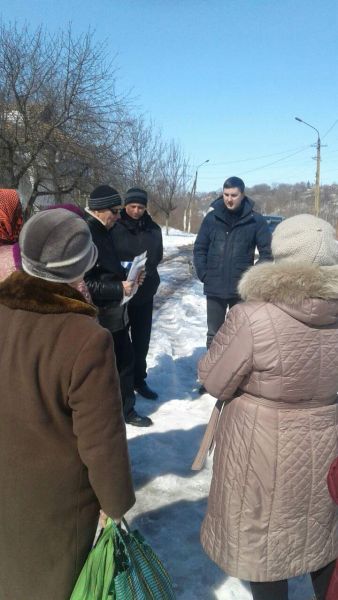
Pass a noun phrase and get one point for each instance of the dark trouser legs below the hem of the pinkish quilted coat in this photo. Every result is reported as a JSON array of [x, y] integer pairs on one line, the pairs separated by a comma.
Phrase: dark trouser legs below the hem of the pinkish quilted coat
[[278, 590]]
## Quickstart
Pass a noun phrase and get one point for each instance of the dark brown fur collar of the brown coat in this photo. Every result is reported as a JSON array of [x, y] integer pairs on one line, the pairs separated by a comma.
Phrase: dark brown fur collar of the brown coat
[[21, 291]]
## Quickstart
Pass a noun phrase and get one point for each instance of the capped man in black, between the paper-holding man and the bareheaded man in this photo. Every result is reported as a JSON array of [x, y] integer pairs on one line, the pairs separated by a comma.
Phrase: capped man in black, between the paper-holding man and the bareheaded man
[[134, 233]]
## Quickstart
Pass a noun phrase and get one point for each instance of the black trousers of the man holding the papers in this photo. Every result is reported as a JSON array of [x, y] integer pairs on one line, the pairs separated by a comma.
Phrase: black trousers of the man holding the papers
[[125, 366]]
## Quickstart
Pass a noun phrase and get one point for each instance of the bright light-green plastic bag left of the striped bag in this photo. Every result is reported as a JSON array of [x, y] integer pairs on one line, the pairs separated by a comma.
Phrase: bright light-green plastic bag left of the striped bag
[[94, 581]]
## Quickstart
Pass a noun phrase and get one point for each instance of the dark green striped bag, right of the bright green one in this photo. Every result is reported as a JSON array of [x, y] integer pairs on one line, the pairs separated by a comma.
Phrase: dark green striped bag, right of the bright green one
[[139, 573]]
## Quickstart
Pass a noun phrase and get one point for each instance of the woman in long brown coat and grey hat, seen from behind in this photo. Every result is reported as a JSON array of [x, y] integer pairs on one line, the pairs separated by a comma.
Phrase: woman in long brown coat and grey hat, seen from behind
[[63, 449]]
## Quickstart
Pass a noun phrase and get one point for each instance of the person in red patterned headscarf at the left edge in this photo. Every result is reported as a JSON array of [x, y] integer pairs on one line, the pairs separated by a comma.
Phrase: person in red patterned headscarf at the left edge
[[11, 221]]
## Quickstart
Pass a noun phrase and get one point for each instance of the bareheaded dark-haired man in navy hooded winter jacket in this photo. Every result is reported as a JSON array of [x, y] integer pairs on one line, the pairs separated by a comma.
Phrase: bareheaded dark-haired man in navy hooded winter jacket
[[225, 248]]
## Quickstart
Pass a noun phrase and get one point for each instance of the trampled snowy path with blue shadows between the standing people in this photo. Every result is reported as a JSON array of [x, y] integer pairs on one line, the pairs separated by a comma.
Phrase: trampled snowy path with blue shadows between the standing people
[[171, 499]]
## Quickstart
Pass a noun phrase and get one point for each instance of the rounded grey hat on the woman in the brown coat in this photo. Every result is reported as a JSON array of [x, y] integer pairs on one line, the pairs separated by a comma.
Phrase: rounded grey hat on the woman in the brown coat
[[57, 245]]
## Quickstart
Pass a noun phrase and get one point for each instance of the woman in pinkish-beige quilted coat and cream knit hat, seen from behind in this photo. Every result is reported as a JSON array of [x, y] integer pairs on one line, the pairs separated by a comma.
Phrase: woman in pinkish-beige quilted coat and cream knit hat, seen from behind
[[273, 366]]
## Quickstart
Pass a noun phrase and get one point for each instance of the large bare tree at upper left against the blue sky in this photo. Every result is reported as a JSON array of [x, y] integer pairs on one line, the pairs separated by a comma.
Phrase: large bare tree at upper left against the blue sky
[[61, 121]]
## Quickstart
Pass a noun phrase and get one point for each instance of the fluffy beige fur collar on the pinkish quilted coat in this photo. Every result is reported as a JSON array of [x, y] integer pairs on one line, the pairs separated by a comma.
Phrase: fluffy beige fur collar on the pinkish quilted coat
[[289, 282]]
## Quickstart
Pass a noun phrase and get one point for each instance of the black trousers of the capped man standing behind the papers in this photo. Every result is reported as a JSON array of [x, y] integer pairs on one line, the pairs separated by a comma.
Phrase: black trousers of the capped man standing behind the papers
[[140, 322]]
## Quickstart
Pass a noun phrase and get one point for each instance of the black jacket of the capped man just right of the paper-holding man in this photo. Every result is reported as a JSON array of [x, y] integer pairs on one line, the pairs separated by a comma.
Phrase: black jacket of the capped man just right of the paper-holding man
[[132, 237]]
